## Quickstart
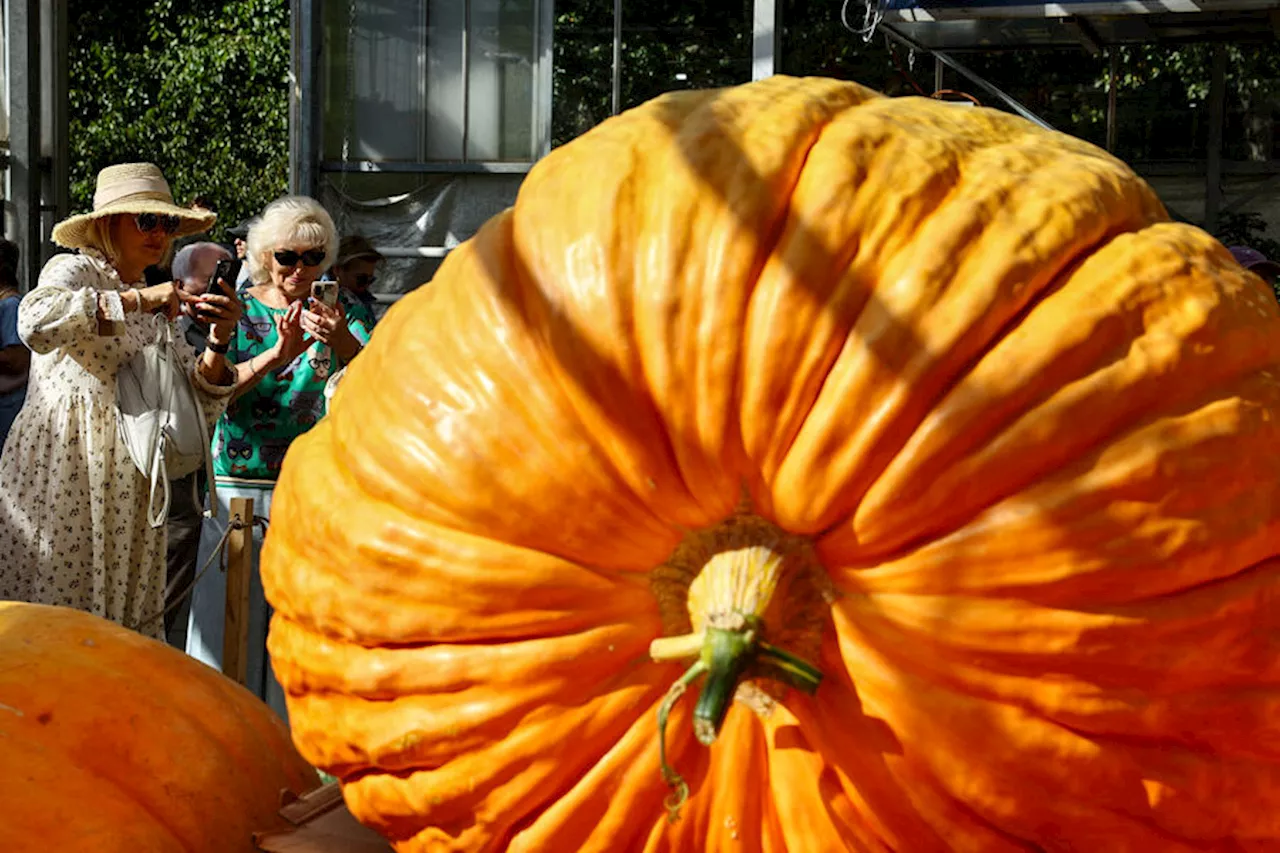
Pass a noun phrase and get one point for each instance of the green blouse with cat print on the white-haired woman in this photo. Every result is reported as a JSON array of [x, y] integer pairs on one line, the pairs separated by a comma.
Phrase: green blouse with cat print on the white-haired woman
[[253, 437]]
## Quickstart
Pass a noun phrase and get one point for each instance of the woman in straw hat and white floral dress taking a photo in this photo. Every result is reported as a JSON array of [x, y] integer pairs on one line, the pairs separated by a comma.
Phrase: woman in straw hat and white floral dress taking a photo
[[74, 514]]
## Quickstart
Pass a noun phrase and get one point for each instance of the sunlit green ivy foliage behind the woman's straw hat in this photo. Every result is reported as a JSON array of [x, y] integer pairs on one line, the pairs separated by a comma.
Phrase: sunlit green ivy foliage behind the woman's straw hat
[[199, 88]]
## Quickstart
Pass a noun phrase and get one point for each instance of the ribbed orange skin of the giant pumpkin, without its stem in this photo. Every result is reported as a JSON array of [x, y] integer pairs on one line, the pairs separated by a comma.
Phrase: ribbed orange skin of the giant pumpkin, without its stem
[[1028, 426]]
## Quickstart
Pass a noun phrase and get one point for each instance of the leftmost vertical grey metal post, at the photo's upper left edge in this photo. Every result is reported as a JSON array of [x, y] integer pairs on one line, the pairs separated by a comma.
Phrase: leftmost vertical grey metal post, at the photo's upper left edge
[[25, 183]]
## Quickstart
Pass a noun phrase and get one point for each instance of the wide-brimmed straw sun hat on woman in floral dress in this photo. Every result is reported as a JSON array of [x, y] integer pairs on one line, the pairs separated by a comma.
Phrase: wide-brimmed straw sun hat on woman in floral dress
[[131, 189]]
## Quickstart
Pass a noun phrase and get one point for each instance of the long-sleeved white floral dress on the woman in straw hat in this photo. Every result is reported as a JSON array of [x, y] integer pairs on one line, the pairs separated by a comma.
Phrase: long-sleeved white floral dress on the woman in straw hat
[[74, 508]]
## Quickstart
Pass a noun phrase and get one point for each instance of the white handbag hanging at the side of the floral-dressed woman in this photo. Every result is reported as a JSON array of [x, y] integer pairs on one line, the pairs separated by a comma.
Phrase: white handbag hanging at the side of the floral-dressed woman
[[162, 423]]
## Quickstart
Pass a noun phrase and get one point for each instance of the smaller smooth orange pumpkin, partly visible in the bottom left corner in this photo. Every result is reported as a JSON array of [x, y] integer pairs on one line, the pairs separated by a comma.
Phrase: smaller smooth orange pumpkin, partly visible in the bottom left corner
[[116, 743]]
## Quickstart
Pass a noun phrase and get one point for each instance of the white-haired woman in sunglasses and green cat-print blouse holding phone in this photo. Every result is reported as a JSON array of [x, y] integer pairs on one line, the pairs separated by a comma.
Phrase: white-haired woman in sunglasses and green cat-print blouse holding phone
[[287, 345]]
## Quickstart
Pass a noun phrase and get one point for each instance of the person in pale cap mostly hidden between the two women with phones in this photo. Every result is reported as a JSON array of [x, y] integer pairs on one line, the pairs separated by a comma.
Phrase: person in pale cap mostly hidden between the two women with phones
[[193, 270]]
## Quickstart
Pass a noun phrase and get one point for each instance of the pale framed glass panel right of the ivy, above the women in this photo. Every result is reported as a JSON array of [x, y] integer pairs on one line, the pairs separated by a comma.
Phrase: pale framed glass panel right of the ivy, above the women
[[433, 81]]
